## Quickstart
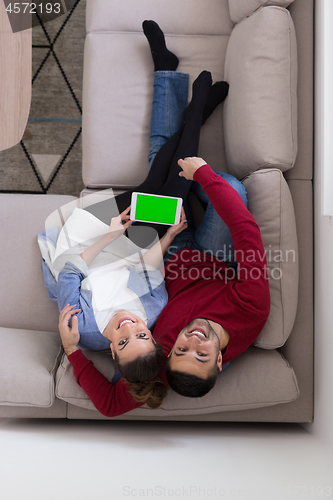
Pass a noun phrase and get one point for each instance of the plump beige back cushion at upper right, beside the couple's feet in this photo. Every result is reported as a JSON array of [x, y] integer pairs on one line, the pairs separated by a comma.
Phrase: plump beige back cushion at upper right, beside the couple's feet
[[260, 112]]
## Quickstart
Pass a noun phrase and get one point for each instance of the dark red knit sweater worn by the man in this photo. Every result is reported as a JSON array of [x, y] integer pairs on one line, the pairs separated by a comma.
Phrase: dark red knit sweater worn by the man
[[200, 286]]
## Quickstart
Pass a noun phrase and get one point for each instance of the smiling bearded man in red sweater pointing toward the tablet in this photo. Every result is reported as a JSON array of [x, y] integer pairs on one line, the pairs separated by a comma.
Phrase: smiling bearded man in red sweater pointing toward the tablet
[[214, 312]]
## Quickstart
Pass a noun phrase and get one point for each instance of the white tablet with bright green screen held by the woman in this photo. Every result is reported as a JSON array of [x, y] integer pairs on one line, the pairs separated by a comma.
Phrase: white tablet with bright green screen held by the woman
[[156, 208]]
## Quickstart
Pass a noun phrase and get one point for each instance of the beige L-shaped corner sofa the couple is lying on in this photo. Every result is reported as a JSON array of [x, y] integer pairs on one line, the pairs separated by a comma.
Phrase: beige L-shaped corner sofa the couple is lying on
[[262, 135]]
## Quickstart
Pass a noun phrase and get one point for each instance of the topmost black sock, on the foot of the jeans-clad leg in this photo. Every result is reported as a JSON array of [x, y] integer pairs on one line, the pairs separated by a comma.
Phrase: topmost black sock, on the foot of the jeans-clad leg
[[164, 60]]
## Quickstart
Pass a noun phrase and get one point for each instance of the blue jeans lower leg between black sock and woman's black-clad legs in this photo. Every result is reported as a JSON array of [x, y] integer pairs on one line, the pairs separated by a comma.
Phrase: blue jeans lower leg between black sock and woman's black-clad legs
[[169, 102]]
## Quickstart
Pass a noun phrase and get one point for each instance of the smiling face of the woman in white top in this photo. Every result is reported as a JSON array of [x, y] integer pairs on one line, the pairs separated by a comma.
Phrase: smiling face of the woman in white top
[[129, 335]]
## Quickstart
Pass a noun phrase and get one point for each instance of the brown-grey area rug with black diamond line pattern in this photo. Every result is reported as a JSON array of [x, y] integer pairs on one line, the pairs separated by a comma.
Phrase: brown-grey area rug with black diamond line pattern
[[49, 158]]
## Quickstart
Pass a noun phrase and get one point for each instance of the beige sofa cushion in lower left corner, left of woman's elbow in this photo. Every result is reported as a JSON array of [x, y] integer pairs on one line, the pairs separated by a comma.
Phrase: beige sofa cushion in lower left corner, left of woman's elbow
[[29, 360]]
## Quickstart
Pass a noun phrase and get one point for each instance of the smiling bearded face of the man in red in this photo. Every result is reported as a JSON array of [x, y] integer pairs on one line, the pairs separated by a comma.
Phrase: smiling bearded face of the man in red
[[196, 350]]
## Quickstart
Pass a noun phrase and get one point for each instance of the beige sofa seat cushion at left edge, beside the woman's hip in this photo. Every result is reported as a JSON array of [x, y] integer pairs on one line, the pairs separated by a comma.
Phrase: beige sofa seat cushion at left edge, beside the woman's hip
[[24, 298]]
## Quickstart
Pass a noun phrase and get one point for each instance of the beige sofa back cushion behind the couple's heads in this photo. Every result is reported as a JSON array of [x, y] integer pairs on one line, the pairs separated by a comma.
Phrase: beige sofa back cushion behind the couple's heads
[[255, 379]]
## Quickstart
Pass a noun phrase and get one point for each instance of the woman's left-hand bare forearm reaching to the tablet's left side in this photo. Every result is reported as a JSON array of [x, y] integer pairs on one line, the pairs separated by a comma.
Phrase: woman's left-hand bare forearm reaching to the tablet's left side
[[117, 227]]
